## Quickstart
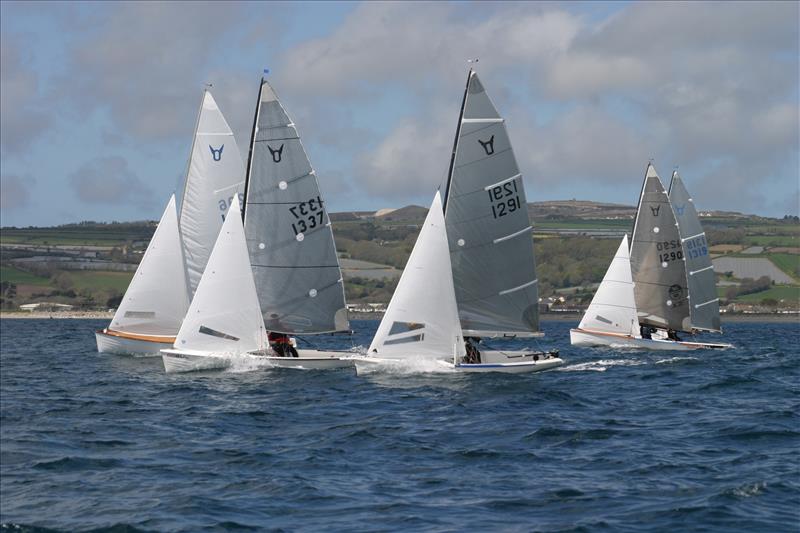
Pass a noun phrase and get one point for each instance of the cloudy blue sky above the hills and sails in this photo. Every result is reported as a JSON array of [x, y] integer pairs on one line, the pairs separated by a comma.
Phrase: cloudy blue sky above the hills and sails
[[98, 101]]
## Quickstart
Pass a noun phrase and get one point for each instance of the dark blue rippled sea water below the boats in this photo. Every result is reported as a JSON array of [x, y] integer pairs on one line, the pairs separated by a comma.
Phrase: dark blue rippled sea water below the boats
[[612, 442]]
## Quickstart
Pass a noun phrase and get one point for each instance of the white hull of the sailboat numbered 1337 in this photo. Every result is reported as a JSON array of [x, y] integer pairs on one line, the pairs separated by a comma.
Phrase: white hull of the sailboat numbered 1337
[[176, 361]]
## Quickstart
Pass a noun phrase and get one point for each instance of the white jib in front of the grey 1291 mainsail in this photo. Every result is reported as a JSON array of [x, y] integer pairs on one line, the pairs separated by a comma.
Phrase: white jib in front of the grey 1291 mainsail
[[422, 317]]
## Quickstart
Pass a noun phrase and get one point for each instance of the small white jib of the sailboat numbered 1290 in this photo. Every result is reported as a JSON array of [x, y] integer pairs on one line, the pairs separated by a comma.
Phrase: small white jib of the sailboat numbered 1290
[[613, 308]]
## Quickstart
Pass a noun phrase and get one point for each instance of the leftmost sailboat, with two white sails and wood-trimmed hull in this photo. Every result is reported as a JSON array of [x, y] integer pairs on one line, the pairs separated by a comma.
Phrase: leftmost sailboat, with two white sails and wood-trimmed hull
[[156, 300]]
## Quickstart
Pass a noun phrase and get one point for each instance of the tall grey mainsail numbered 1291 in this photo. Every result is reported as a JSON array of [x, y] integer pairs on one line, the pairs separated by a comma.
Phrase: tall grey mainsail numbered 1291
[[488, 229]]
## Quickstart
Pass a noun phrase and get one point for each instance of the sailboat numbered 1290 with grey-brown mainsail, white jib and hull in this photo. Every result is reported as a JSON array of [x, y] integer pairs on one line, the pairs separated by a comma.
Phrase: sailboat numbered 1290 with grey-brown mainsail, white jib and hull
[[646, 290]]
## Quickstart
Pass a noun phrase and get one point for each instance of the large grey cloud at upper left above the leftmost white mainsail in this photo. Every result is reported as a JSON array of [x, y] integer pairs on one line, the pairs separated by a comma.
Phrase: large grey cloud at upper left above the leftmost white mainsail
[[148, 76]]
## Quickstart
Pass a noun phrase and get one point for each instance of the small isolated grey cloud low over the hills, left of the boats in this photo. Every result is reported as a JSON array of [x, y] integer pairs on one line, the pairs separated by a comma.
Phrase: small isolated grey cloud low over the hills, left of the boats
[[109, 181]]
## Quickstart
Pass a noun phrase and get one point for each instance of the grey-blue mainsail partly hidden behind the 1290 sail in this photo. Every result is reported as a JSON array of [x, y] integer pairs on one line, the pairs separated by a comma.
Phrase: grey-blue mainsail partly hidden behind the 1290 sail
[[703, 299]]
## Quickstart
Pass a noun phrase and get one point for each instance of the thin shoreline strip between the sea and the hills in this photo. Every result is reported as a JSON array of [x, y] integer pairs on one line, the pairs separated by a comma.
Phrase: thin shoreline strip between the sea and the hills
[[545, 317]]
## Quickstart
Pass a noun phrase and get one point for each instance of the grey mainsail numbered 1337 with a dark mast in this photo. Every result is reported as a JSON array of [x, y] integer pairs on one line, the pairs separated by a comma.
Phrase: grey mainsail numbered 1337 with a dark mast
[[288, 231]]
